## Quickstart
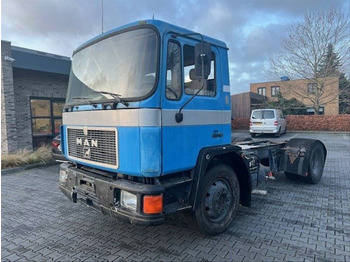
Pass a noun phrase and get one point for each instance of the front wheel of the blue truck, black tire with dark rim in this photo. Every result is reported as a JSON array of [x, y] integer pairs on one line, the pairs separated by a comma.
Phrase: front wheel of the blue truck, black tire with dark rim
[[218, 197]]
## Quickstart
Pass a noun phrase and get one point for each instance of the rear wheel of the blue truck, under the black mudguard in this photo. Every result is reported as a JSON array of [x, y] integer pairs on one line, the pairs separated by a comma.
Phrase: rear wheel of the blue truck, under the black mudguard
[[317, 161]]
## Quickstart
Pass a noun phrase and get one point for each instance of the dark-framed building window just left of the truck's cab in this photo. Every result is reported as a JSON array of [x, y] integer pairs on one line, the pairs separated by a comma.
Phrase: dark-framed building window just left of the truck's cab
[[46, 116]]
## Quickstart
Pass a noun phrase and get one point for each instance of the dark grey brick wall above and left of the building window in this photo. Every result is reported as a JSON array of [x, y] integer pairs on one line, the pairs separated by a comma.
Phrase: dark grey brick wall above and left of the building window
[[30, 83]]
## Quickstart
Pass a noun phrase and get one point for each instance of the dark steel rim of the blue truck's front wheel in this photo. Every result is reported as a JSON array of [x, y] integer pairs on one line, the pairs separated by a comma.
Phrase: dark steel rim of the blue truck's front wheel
[[218, 199]]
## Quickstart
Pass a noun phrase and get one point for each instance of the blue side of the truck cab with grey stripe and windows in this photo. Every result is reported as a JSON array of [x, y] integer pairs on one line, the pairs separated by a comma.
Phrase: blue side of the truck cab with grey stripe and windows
[[202, 123]]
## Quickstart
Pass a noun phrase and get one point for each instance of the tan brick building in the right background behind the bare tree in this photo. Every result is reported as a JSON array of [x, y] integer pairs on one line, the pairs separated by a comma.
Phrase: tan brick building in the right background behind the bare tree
[[301, 89]]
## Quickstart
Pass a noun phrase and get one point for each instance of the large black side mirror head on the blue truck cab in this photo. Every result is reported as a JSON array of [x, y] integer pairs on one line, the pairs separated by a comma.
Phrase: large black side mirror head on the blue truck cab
[[202, 52]]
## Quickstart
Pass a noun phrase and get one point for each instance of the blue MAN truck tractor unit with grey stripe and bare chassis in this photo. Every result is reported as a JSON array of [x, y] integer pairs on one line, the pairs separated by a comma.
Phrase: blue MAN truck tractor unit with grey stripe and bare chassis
[[147, 131]]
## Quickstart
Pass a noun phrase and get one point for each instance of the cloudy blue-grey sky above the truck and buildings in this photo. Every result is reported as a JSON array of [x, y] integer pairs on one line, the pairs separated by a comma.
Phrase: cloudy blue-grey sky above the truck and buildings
[[252, 29]]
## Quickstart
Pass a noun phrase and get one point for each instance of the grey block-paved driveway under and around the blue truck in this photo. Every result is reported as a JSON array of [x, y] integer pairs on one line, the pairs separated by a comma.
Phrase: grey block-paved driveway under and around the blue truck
[[294, 222]]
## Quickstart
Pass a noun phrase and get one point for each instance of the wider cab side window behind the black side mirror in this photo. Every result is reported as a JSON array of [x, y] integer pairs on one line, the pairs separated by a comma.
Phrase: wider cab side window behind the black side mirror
[[194, 83]]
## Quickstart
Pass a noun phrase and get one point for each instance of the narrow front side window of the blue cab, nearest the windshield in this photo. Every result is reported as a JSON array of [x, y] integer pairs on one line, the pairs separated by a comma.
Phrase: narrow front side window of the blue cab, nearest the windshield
[[173, 72]]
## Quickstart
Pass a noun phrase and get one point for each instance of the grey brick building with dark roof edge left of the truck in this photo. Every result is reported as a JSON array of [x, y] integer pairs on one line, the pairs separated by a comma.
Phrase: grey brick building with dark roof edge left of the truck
[[33, 90]]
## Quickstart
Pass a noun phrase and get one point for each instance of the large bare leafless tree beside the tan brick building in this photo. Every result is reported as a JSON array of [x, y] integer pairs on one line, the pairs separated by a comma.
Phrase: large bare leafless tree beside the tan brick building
[[304, 56]]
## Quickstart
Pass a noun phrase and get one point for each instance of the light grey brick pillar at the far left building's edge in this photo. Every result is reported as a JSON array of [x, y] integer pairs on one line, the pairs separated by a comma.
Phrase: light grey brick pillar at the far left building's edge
[[8, 113]]
